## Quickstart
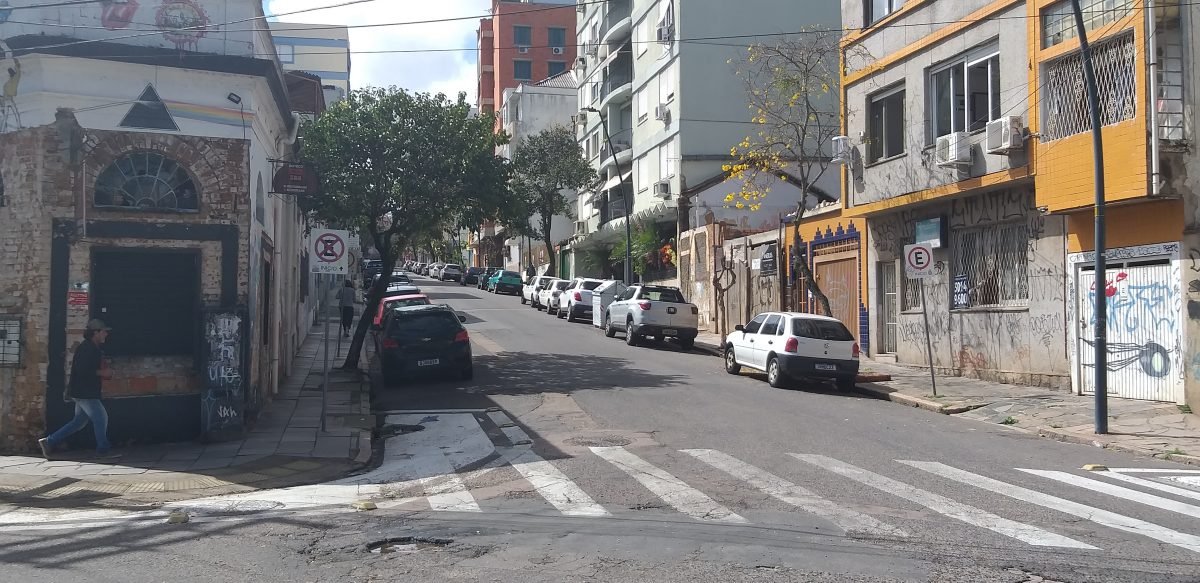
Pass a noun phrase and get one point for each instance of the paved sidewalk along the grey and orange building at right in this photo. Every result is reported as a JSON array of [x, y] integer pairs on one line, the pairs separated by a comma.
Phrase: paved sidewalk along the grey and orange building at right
[[1143, 428]]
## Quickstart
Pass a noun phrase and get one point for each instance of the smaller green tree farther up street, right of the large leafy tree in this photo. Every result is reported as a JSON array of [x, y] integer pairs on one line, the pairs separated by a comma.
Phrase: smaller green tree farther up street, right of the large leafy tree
[[544, 166]]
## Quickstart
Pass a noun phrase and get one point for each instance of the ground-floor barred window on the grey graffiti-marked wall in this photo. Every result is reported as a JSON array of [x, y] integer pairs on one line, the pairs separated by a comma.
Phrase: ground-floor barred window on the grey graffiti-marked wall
[[995, 261]]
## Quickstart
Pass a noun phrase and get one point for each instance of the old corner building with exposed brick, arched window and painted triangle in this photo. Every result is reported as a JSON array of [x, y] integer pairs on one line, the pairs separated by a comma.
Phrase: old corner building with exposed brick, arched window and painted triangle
[[143, 197]]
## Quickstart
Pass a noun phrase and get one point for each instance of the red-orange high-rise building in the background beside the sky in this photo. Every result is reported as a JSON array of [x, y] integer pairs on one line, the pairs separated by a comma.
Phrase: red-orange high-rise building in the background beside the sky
[[523, 43]]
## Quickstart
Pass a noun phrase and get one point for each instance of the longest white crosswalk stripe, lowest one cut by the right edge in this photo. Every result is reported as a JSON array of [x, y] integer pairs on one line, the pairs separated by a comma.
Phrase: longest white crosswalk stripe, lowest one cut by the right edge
[[1099, 516]]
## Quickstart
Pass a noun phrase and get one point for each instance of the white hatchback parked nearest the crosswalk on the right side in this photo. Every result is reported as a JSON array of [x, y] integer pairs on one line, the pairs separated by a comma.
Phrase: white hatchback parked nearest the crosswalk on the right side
[[794, 346]]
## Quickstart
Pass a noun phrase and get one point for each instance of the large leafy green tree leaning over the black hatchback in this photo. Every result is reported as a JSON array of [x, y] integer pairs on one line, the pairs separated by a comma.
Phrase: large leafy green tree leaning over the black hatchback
[[395, 166]]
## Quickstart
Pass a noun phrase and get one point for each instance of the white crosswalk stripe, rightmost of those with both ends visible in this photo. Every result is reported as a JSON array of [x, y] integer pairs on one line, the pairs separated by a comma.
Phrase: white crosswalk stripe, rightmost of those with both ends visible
[[944, 506]]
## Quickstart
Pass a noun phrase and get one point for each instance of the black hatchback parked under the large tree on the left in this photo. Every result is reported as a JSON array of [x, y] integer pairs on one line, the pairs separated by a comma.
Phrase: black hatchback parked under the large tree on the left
[[424, 340]]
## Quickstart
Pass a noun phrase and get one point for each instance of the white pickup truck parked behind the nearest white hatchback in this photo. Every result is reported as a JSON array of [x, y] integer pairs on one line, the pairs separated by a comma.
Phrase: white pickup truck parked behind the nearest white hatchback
[[657, 311]]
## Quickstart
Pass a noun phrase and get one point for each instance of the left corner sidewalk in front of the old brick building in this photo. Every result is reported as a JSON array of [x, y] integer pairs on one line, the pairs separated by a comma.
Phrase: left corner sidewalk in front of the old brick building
[[284, 448]]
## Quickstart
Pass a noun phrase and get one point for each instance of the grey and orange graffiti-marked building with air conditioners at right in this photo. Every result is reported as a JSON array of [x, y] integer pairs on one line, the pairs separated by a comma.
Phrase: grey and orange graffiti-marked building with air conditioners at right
[[970, 133]]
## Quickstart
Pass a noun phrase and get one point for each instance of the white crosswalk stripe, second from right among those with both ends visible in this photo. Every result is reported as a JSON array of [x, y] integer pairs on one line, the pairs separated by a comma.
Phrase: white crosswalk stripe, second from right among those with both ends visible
[[782, 490]]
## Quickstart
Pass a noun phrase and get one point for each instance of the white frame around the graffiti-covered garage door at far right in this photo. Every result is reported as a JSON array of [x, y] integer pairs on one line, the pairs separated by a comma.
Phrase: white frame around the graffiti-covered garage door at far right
[[1076, 262]]
